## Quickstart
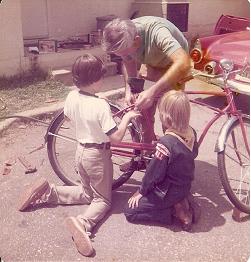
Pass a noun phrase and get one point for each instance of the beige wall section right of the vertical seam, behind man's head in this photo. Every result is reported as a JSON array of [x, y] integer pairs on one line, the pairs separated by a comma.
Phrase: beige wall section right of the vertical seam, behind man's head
[[82, 15]]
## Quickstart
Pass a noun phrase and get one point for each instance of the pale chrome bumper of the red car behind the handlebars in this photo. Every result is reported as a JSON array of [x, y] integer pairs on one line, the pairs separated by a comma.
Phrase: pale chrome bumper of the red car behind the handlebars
[[235, 84]]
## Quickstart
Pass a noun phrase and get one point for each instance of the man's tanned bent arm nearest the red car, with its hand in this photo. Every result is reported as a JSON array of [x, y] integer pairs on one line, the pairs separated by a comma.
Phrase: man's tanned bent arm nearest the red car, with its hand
[[181, 65]]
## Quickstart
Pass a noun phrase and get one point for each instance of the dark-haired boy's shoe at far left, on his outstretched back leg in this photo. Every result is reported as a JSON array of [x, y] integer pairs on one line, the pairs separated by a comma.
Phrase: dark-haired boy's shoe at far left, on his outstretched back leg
[[33, 194]]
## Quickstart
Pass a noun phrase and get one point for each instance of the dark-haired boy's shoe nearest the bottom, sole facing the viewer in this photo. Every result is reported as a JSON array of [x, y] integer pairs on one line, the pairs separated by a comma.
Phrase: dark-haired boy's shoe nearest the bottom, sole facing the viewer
[[79, 236]]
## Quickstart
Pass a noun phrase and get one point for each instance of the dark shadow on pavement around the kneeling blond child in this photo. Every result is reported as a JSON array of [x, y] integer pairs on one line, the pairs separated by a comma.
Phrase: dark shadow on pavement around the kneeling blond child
[[208, 193]]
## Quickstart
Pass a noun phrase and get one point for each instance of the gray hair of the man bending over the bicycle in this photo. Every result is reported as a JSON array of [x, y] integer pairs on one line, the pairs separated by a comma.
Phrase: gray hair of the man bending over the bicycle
[[118, 34]]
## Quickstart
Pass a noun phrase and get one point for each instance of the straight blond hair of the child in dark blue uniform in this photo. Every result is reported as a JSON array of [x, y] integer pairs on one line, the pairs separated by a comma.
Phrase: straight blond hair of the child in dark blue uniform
[[174, 108]]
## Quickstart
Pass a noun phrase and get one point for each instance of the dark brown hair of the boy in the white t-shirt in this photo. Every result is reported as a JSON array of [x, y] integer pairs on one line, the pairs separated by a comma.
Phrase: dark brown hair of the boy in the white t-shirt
[[87, 69]]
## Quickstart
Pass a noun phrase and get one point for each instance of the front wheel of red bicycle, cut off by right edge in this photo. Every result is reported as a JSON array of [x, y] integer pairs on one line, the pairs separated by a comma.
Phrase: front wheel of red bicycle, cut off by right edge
[[233, 165]]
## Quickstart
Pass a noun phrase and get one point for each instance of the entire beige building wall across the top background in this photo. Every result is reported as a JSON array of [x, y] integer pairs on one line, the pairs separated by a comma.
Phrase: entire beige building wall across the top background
[[62, 18]]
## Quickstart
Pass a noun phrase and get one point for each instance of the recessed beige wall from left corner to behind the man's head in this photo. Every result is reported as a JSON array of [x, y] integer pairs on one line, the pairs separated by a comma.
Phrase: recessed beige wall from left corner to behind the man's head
[[63, 18]]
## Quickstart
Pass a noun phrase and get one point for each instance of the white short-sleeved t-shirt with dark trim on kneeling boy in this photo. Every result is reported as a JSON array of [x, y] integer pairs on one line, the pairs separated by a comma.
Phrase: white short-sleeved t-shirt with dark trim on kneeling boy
[[92, 117]]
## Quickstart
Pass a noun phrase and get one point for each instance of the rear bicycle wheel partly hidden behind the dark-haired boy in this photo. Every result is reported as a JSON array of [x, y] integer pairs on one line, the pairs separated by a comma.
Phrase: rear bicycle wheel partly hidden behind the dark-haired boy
[[62, 144]]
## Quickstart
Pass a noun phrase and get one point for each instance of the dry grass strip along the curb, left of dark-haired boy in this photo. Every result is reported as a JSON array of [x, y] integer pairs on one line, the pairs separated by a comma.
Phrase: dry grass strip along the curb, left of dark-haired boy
[[16, 96]]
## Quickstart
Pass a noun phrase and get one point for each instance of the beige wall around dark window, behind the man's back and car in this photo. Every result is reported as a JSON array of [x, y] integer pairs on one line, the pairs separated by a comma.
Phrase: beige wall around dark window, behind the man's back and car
[[202, 16]]
